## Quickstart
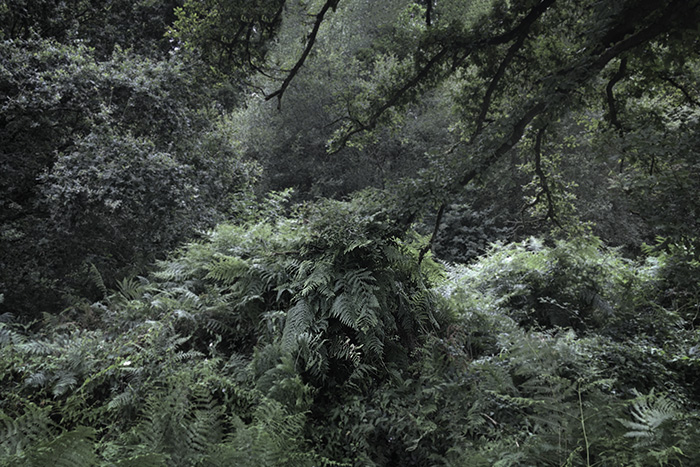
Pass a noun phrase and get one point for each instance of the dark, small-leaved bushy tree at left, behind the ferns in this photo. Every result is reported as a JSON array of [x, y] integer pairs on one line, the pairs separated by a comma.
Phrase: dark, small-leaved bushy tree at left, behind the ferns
[[106, 165]]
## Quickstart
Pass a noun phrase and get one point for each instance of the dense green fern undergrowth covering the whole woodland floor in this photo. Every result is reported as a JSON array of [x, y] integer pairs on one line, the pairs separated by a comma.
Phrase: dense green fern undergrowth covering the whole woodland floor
[[319, 338]]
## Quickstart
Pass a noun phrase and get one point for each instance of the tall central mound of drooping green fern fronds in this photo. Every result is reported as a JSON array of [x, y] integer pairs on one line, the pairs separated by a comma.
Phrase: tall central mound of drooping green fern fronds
[[332, 276]]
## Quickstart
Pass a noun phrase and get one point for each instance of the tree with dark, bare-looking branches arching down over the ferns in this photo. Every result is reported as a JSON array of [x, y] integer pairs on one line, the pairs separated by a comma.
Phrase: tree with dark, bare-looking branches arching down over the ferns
[[546, 83]]
